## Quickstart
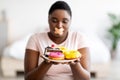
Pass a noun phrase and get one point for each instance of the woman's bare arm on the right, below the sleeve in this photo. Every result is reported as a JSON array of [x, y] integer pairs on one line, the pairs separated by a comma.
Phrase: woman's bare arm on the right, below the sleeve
[[81, 71]]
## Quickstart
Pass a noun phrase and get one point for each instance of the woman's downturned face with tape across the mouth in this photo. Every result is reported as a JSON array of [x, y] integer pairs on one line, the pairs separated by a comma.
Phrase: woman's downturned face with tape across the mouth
[[59, 22]]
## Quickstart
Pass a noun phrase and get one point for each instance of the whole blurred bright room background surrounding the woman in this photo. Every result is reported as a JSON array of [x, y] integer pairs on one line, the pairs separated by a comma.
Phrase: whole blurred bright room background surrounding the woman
[[98, 19]]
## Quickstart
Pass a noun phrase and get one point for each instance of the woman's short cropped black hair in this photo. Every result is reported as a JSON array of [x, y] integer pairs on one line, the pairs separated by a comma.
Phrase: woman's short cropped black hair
[[60, 5]]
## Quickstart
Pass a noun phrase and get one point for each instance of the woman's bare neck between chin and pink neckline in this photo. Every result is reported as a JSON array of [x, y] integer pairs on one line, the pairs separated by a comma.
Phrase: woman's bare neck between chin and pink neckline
[[57, 40]]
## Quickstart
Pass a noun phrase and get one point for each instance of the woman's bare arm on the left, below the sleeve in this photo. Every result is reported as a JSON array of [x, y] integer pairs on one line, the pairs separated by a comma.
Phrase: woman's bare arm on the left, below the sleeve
[[33, 71]]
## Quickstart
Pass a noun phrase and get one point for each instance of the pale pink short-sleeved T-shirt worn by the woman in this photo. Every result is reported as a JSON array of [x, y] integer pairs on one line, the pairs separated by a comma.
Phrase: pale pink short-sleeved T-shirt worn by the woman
[[39, 41]]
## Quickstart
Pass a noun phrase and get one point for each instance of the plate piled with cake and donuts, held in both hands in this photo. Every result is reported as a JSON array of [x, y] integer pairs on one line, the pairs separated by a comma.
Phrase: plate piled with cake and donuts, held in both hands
[[60, 54]]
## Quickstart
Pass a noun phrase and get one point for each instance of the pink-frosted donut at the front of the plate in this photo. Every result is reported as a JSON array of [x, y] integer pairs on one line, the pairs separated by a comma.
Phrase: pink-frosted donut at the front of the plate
[[56, 55]]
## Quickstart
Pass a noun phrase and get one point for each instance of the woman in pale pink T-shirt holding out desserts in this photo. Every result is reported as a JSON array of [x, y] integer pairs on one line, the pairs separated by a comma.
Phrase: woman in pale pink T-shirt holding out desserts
[[36, 68]]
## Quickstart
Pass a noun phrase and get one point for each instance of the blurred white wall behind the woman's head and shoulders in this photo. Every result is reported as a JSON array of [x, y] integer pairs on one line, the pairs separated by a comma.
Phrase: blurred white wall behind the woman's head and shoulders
[[26, 16]]
